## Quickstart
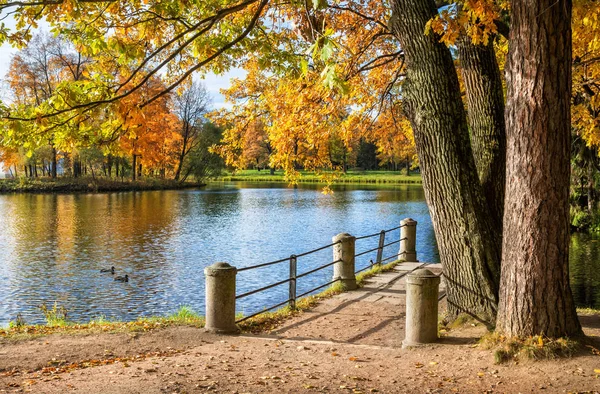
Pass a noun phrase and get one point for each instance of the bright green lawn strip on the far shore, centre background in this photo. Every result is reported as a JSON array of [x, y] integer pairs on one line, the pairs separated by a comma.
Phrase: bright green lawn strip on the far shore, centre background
[[389, 177]]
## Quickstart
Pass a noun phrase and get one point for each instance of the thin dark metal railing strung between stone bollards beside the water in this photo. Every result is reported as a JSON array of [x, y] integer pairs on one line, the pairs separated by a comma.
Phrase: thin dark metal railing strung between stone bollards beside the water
[[293, 277]]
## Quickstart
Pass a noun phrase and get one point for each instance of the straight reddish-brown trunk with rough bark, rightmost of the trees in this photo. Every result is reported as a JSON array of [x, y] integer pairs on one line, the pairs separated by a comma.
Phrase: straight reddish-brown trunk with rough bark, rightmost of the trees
[[535, 296]]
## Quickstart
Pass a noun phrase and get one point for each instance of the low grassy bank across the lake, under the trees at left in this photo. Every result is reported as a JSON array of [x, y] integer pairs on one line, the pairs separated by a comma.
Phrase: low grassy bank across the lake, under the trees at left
[[87, 185]]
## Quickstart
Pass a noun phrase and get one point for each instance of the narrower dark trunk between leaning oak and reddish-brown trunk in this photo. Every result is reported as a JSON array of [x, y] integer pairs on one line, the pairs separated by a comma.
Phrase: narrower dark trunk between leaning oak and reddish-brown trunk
[[485, 105]]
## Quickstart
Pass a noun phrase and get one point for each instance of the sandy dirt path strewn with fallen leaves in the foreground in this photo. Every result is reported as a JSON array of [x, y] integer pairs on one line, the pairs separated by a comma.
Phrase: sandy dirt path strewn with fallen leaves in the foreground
[[348, 344]]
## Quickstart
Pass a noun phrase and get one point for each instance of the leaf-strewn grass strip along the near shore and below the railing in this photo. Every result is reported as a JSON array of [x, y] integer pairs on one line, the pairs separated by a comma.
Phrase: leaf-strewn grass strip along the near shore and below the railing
[[58, 323]]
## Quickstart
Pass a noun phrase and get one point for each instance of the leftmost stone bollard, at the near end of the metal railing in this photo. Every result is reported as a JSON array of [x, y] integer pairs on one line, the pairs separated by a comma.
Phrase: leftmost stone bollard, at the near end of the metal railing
[[220, 299]]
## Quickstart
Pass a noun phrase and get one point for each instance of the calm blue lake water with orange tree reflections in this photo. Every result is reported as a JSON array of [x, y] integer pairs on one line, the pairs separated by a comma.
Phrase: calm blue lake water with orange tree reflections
[[53, 246]]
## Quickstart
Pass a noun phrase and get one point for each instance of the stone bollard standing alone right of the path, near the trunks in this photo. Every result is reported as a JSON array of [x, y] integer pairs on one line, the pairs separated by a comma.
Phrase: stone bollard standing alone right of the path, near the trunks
[[422, 288]]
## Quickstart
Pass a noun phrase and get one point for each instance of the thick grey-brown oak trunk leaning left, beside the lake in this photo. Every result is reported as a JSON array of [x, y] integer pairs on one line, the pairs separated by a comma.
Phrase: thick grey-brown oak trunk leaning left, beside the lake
[[468, 242]]
